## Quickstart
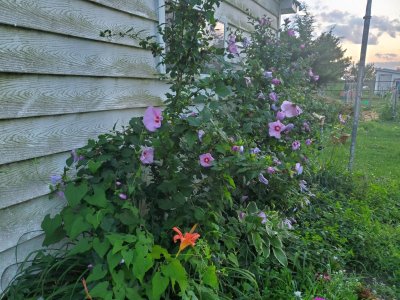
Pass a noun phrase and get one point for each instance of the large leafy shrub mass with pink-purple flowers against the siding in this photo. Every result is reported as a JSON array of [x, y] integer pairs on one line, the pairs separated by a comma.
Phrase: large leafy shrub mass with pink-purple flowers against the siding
[[227, 168]]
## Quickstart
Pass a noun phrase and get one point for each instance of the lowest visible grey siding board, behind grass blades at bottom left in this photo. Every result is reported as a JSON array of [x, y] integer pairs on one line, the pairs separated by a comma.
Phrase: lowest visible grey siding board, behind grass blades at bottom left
[[10, 258]]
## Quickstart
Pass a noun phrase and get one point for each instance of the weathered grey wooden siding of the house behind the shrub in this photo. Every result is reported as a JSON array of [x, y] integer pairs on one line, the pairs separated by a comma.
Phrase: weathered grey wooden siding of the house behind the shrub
[[62, 83]]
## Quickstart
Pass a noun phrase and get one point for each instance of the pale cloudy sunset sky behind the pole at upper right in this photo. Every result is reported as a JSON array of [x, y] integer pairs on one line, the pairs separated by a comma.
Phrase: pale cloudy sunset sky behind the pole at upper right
[[346, 16]]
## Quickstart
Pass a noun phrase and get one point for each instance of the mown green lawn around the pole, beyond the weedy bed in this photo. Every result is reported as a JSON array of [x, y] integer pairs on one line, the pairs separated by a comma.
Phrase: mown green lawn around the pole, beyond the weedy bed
[[377, 151]]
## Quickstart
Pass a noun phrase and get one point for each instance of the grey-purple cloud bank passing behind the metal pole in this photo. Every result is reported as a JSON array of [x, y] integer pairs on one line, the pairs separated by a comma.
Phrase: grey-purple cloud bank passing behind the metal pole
[[350, 27]]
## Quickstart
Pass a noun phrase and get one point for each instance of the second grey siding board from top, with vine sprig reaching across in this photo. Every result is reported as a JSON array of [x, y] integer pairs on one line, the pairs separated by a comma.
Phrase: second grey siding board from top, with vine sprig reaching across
[[74, 17]]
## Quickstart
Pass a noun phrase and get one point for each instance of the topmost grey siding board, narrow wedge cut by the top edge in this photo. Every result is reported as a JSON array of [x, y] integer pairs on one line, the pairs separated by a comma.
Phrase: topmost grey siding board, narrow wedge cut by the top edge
[[144, 8]]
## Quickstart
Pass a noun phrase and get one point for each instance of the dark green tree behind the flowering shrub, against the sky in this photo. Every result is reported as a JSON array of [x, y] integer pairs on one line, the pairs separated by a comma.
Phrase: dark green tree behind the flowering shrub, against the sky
[[325, 52]]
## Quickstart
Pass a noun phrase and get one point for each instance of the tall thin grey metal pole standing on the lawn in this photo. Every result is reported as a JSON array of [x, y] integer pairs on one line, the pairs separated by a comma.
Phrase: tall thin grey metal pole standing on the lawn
[[360, 80]]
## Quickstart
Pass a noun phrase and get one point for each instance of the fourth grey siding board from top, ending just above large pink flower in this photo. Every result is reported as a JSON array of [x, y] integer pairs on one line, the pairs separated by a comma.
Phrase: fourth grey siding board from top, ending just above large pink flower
[[40, 95]]
